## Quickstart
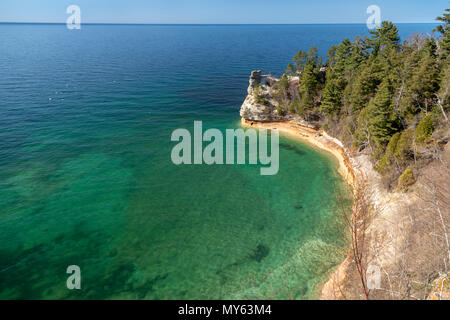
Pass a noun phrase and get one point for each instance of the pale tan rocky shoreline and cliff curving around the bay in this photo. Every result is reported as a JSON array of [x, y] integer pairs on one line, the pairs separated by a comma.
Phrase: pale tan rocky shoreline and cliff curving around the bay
[[353, 167]]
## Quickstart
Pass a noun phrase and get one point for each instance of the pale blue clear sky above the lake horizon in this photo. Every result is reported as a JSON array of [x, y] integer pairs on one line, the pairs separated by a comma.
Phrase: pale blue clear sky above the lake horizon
[[221, 11]]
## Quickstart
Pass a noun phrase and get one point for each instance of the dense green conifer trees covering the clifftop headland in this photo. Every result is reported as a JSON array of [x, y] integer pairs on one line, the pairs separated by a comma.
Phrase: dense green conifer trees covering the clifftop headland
[[374, 90]]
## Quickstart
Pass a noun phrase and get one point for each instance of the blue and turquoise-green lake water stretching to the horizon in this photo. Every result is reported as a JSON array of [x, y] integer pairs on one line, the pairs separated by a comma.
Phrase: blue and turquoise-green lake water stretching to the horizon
[[86, 177]]
